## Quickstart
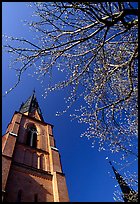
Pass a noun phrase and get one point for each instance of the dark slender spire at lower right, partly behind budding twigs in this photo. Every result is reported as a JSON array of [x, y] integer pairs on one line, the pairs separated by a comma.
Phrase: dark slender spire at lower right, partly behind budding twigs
[[129, 195]]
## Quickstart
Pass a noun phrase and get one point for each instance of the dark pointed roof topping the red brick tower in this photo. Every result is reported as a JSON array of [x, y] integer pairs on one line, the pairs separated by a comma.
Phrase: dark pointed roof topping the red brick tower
[[30, 105]]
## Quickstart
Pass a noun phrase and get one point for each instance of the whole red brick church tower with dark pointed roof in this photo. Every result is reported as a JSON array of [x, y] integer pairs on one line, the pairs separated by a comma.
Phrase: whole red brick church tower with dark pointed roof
[[31, 166]]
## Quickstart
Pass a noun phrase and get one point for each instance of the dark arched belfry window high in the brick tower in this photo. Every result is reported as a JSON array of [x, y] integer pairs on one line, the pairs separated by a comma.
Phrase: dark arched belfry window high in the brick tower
[[31, 136]]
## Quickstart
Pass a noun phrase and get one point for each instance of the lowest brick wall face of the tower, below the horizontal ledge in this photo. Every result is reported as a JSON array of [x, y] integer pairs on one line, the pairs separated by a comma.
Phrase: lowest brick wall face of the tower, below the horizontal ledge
[[21, 179]]
